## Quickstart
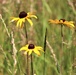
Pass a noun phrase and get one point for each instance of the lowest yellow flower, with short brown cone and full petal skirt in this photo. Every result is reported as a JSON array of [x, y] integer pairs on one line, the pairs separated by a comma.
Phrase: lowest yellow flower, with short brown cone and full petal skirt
[[29, 48]]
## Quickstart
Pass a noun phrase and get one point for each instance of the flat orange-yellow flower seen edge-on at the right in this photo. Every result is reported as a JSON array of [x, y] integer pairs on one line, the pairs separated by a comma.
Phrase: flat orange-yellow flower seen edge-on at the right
[[63, 21]]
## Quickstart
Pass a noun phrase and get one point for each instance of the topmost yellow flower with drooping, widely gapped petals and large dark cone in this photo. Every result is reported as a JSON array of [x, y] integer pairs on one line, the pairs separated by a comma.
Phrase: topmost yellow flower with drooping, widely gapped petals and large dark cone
[[23, 16]]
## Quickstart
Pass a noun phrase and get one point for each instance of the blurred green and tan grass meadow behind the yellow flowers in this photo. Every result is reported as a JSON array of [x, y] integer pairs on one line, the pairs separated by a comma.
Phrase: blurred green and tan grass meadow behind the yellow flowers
[[45, 10]]
